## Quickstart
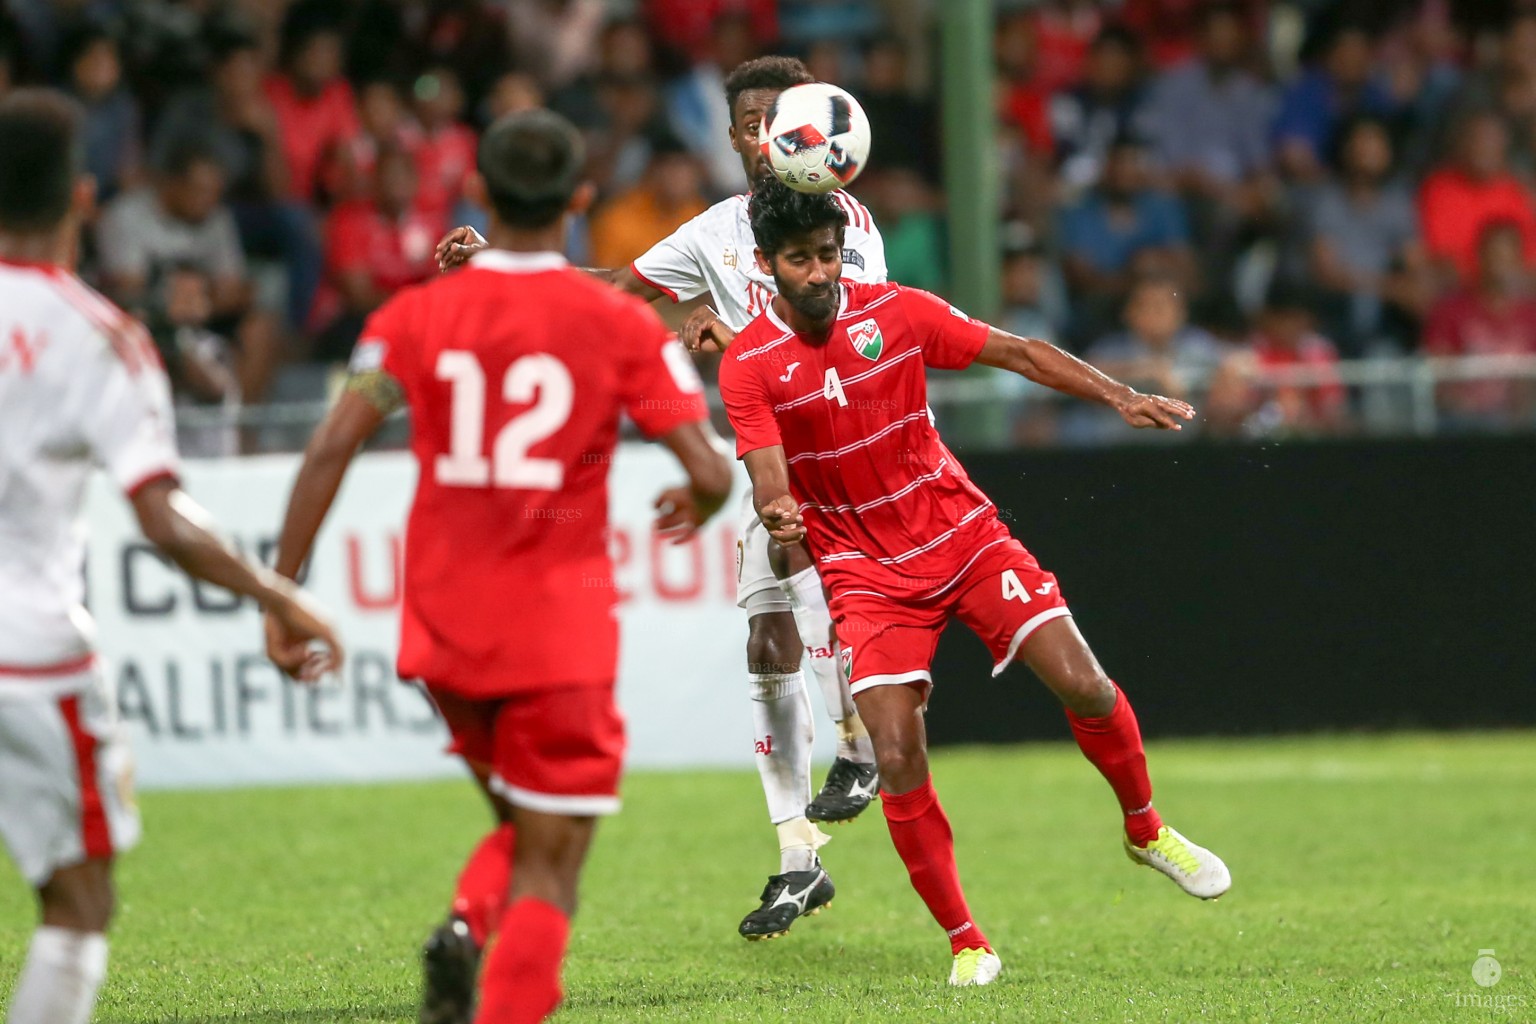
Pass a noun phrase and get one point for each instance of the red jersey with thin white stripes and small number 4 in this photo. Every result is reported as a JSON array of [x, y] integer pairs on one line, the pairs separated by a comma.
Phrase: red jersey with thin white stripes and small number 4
[[887, 506]]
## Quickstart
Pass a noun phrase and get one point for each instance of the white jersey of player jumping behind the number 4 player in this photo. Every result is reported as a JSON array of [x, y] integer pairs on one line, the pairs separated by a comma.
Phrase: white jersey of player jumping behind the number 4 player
[[713, 254]]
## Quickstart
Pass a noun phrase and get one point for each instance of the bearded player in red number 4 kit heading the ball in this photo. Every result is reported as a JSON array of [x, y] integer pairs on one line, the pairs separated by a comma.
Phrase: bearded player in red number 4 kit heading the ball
[[827, 394]]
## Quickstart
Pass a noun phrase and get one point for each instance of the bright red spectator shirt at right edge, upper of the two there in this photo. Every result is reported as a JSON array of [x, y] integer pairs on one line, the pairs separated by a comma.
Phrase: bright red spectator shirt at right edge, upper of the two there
[[1455, 210]]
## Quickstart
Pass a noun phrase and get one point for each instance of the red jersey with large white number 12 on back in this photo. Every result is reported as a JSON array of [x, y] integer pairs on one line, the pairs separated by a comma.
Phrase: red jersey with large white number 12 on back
[[515, 371]]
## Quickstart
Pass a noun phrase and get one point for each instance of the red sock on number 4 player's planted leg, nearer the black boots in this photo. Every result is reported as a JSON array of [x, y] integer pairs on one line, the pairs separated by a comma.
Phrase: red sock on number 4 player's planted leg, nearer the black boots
[[922, 837]]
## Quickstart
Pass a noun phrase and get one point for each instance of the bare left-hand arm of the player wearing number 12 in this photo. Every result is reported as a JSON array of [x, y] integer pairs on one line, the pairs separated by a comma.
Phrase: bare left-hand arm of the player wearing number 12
[[349, 423]]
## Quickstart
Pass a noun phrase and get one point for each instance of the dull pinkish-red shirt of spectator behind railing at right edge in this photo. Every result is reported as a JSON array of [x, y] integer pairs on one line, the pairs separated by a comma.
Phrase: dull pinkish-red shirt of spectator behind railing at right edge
[[1469, 326]]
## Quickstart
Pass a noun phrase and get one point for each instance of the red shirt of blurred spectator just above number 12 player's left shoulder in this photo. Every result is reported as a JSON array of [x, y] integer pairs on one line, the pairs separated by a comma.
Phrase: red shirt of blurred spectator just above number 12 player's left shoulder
[[396, 253]]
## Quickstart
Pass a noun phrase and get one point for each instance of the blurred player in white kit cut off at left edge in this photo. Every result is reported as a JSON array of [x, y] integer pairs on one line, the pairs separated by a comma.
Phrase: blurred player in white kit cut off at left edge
[[81, 389]]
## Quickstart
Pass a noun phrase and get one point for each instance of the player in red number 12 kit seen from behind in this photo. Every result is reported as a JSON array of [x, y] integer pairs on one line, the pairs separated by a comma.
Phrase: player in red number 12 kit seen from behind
[[515, 372]]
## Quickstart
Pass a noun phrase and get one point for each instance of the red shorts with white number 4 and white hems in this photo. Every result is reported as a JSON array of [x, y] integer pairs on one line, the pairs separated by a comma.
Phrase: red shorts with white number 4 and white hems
[[1004, 596]]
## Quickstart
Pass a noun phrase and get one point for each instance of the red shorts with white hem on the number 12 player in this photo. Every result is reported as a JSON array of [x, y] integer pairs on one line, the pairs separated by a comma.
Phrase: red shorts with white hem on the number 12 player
[[557, 751]]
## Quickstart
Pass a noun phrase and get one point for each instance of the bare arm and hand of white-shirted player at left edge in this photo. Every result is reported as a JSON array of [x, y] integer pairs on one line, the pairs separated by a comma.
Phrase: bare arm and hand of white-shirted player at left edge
[[184, 532]]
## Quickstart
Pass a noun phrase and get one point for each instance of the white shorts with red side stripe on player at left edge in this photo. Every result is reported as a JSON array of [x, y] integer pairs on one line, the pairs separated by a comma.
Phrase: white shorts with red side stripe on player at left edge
[[68, 793]]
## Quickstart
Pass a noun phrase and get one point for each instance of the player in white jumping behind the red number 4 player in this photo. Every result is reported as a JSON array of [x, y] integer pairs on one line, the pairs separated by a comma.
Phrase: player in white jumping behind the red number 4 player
[[787, 609]]
